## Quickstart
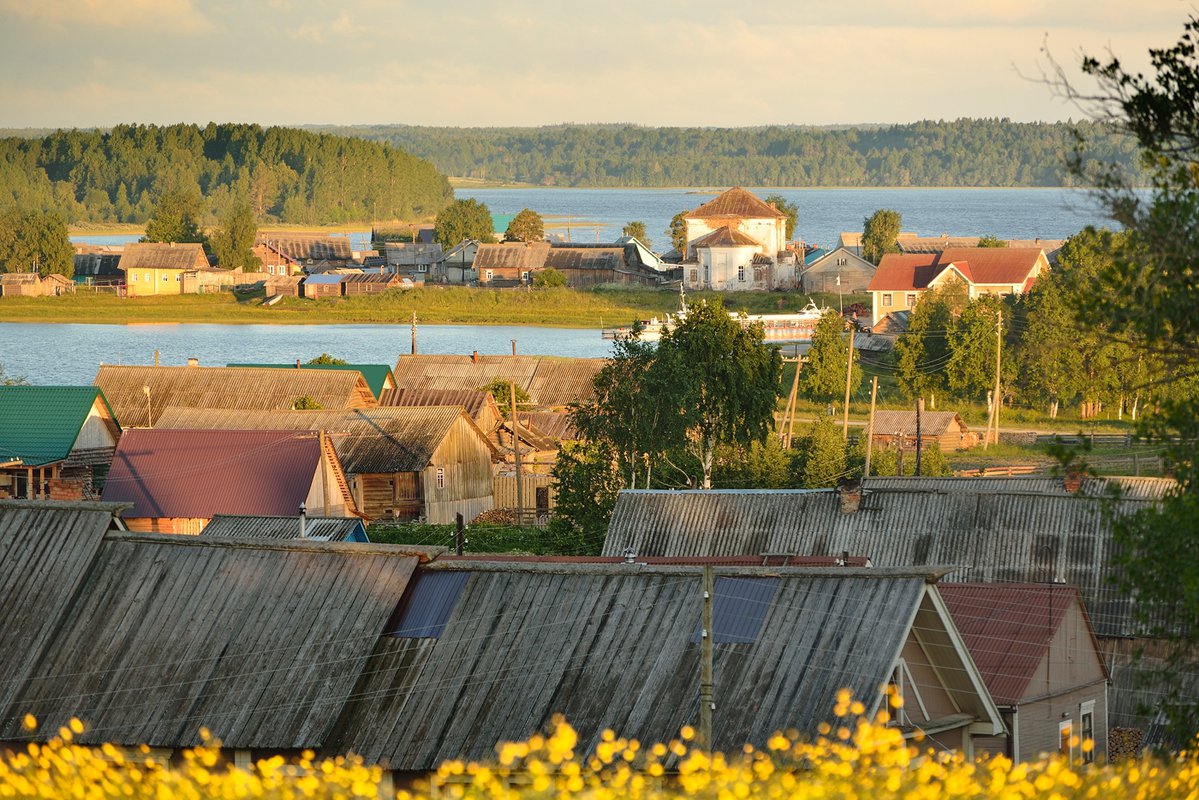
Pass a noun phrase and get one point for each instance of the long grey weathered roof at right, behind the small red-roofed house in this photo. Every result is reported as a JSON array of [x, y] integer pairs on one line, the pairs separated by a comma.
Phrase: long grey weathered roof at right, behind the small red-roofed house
[[995, 530]]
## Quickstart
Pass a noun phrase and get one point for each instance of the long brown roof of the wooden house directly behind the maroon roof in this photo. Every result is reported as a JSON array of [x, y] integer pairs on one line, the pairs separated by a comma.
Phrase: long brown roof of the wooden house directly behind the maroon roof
[[367, 441]]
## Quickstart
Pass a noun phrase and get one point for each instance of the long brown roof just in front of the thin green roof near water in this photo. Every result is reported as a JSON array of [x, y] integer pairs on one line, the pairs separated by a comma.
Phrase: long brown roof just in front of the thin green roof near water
[[228, 388]]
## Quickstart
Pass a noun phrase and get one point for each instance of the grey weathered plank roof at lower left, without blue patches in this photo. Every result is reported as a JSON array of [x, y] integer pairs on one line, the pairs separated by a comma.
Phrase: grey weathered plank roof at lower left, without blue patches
[[149, 639]]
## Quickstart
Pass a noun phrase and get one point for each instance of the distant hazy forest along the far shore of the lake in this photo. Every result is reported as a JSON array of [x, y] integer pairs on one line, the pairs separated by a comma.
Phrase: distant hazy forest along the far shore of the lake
[[961, 153]]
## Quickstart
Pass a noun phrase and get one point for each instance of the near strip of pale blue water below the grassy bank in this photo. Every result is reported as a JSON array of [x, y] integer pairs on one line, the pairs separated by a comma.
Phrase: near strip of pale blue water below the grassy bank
[[46, 353]]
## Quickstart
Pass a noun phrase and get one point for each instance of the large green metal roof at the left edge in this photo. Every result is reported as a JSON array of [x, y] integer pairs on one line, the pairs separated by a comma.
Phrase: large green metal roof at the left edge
[[40, 425]]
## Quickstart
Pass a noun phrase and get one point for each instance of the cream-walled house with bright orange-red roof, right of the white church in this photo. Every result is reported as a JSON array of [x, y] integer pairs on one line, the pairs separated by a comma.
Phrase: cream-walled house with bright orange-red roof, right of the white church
[[901, 280]]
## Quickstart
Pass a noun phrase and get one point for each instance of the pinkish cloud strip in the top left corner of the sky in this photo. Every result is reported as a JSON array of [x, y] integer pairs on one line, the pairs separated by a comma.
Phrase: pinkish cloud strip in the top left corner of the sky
[[179, 16]]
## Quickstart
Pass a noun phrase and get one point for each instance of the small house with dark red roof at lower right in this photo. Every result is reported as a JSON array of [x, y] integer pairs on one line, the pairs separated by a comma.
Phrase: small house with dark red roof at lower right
[[1039, 657]]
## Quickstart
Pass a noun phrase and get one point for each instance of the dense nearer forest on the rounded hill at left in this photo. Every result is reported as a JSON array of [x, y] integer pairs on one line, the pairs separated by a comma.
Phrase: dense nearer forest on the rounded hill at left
[[287, 176]]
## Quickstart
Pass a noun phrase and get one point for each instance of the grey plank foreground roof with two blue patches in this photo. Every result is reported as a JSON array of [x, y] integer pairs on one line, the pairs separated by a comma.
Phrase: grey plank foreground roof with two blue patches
[[616, 647]]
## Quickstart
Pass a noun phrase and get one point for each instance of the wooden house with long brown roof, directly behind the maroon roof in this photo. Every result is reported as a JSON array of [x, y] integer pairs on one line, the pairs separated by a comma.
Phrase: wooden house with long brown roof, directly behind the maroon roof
[[403, 464]]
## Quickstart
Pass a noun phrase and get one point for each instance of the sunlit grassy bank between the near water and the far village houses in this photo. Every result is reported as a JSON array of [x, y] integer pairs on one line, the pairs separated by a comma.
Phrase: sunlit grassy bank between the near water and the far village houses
[[433, 305]]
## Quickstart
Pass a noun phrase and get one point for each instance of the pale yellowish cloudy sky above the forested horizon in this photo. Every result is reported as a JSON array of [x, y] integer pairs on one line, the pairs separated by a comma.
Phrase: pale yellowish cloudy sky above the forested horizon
[[523, 63]]
